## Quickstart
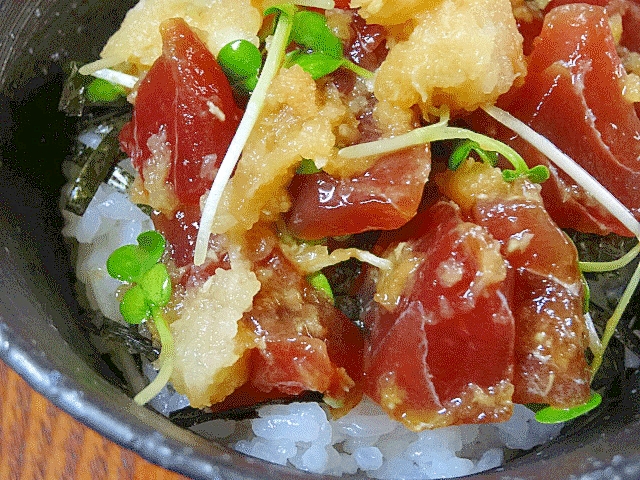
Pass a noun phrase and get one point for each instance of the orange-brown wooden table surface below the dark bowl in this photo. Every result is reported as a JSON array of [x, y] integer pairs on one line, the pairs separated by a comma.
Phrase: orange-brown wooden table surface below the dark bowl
[[40, 441]]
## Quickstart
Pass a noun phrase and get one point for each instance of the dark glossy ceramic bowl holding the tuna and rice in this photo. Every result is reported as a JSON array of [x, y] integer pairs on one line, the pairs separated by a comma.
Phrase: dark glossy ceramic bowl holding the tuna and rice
[[42, 334]]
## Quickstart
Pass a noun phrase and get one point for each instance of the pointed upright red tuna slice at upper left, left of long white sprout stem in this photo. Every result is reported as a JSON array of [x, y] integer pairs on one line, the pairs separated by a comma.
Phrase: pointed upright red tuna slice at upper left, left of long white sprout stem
[[186, 97]]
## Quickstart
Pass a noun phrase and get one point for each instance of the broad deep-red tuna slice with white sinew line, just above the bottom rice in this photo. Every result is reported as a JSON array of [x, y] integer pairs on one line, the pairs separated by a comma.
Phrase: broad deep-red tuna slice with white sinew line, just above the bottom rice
[[444, 354]]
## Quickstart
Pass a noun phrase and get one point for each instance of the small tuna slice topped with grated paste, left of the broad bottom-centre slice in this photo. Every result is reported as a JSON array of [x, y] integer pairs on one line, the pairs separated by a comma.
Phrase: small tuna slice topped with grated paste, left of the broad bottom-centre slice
[[305, 342]]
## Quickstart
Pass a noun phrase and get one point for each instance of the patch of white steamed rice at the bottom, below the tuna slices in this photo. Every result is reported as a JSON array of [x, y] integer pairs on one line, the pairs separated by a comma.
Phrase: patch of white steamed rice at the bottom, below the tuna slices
[[302, 435]]
